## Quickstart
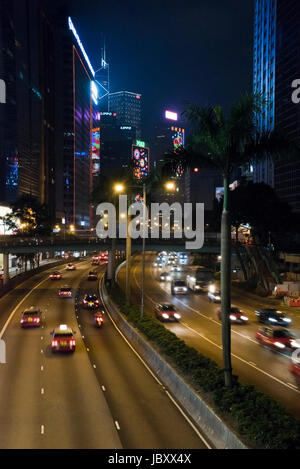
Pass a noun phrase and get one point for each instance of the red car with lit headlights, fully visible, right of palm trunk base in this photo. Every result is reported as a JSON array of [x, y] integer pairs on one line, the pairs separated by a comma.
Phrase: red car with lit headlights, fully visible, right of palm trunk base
[[276, 338]]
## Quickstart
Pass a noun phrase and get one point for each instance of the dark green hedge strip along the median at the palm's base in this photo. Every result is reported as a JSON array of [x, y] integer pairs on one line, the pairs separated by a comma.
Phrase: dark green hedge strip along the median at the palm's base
[[265, 422]]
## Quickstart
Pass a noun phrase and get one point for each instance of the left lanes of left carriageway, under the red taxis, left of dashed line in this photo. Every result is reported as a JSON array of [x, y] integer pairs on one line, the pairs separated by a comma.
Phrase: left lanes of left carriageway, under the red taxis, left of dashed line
[[51, 401]]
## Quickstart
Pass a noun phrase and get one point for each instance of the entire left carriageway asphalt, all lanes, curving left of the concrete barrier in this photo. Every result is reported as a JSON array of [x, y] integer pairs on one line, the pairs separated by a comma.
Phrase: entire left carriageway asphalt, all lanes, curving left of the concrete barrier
[[102, 396]]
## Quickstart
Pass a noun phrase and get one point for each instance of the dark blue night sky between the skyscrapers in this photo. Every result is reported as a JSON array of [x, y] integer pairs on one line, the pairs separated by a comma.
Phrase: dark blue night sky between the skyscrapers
[[172, 52]]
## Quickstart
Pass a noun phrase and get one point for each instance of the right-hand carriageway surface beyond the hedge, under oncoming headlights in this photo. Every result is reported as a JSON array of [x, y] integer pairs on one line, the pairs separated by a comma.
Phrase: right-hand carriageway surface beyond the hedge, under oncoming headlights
[[200, 328]]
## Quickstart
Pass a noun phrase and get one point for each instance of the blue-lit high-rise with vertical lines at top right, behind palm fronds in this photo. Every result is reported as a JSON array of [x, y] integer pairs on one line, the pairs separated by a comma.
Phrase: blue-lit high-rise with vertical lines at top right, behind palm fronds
[[276, 66]]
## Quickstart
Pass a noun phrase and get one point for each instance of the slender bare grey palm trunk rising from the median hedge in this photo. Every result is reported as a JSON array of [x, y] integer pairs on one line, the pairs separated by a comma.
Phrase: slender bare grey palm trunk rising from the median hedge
[[226, 285]]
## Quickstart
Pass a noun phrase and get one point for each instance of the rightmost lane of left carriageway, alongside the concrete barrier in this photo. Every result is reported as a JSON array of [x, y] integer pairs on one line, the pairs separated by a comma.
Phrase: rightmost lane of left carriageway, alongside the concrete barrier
[[146, 416]]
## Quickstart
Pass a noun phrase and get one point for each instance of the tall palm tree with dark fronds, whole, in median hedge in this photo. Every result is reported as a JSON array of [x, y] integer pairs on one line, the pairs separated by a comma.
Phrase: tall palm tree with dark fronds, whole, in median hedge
[[226, 143]]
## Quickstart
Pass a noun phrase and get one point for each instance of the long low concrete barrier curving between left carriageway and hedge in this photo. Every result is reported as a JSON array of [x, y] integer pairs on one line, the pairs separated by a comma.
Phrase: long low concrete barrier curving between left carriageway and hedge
[[204, 417]]
